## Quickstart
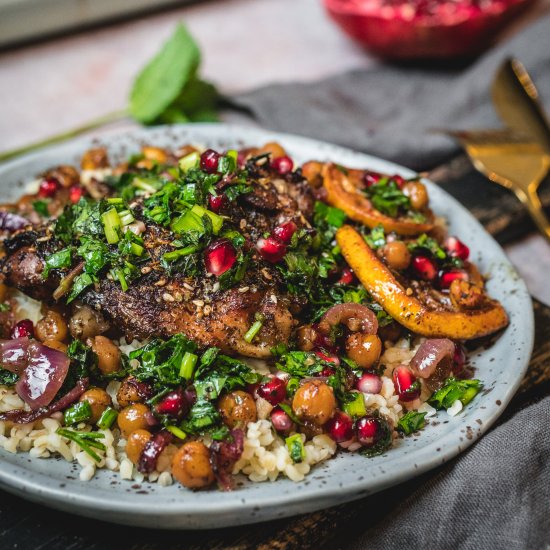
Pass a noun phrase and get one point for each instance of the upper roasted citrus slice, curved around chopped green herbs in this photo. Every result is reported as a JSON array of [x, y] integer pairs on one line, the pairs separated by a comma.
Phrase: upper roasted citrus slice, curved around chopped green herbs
[[343, 192]]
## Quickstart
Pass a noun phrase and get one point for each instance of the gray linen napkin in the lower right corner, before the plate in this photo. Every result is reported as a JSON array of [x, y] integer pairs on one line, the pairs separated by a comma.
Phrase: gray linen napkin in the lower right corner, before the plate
[[494, 496]]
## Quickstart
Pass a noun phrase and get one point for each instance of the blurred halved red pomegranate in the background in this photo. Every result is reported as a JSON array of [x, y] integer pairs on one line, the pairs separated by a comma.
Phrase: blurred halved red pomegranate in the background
[[396, 30]]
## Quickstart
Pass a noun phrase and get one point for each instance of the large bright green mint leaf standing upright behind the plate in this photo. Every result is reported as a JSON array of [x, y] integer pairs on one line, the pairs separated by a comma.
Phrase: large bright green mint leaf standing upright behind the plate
[[162, 80]]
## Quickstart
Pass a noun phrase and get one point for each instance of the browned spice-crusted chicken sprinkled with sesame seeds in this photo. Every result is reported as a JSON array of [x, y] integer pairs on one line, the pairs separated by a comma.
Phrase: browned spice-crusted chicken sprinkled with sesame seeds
[[163, 301]]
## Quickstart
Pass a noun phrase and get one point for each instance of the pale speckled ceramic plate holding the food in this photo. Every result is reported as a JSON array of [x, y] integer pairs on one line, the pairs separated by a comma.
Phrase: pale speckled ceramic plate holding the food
[[55, 482]]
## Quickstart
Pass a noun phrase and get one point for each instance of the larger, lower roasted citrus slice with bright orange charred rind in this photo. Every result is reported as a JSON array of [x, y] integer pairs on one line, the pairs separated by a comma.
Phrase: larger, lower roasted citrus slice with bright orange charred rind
[[408, 310]]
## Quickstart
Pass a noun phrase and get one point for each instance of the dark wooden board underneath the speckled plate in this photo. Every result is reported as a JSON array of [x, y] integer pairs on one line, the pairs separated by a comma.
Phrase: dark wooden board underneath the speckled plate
[[29, 526]]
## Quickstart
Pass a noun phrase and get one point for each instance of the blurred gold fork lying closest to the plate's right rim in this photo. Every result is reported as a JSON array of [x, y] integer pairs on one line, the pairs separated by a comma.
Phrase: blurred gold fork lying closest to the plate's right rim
[[512, 160]]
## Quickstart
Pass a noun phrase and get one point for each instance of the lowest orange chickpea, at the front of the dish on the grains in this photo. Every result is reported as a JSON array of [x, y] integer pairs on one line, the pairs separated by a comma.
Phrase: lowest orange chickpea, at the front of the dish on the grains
[[191, 466]]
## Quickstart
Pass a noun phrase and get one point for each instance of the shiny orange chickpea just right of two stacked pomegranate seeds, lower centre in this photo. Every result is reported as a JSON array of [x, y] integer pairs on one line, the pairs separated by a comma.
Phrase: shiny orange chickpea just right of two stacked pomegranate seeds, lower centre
[[314, 402]]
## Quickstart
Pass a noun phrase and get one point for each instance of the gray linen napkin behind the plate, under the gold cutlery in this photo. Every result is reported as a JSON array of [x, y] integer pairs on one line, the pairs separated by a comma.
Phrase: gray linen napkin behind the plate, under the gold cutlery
[[389, 110]]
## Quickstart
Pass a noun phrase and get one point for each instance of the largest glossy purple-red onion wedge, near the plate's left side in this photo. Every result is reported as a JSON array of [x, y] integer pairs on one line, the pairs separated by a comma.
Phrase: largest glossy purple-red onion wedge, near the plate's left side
[[43, 376]]
